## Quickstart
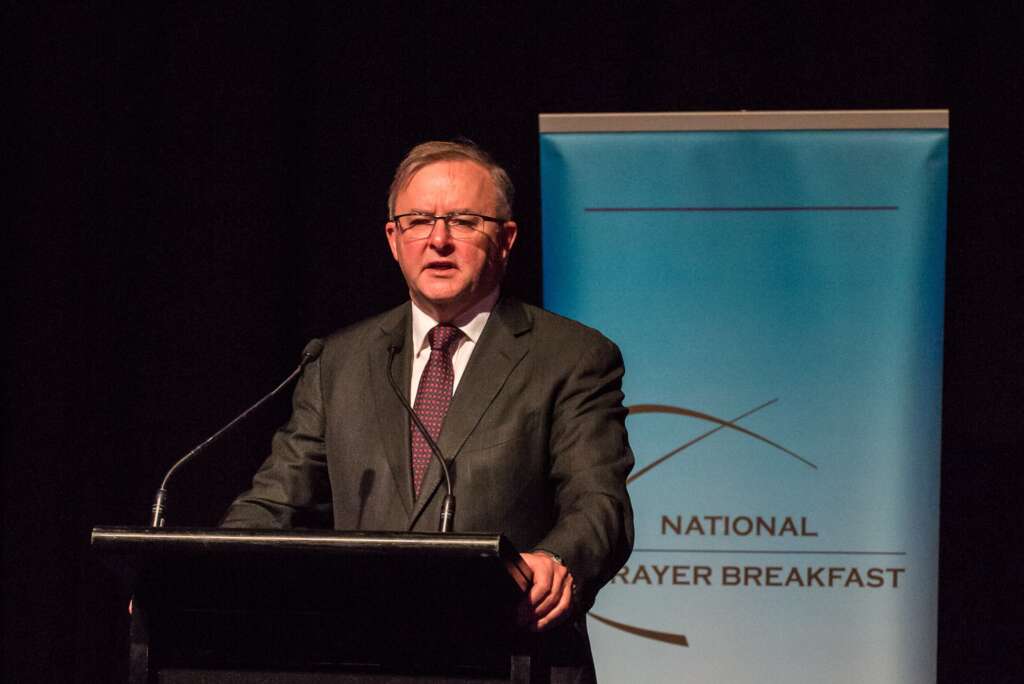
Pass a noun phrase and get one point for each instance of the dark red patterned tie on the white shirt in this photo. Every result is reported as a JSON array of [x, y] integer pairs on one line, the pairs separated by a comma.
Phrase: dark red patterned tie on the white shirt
[[434, 397]]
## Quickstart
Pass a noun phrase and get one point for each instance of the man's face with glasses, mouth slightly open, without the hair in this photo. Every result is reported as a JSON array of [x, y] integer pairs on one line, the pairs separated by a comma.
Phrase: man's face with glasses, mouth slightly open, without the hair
[[446, 276]]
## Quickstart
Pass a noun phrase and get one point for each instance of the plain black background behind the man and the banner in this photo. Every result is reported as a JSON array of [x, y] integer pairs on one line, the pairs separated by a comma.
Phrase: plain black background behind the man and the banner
[[198, 190]]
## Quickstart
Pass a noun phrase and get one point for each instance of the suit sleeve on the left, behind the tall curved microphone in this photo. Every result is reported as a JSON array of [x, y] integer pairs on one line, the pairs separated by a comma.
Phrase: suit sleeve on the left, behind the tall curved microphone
[[291, 489]]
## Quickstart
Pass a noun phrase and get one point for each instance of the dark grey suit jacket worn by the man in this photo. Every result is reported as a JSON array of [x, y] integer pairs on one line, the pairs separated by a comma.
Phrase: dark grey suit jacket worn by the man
[[536, 436]]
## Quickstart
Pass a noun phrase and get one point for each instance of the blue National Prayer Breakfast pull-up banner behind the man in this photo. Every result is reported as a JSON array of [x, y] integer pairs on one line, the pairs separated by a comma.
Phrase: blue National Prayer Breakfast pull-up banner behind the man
[[776, 282]]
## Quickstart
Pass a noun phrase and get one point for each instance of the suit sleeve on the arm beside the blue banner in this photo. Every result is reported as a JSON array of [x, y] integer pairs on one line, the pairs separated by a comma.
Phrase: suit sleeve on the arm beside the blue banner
[[590, 460]]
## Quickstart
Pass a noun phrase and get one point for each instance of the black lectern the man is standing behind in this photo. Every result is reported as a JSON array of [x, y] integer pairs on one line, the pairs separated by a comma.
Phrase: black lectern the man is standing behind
[[228, 606]]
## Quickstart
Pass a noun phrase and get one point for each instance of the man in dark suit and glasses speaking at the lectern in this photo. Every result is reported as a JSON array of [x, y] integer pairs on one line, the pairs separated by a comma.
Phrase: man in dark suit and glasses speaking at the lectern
[[525, 405]]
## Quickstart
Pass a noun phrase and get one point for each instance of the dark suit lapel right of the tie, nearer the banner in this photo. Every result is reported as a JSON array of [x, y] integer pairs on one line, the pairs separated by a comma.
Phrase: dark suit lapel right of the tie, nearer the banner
[[501, 348]]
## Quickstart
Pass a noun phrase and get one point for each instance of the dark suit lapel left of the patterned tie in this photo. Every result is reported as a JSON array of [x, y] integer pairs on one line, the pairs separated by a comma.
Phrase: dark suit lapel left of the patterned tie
[[393, 419]]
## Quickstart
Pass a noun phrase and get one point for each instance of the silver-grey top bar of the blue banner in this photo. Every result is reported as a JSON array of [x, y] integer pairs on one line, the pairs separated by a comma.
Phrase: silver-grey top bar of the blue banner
[[742, 121]]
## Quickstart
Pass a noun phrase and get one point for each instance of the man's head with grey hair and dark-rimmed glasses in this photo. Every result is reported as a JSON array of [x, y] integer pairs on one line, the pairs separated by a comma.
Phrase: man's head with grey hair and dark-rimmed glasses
[[450, 266]]
